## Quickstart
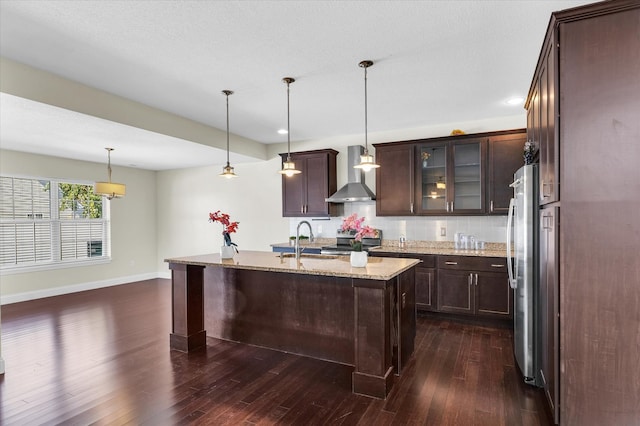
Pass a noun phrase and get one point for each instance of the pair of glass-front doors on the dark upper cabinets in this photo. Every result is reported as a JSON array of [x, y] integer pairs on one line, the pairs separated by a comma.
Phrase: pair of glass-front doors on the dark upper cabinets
[[451, 177]]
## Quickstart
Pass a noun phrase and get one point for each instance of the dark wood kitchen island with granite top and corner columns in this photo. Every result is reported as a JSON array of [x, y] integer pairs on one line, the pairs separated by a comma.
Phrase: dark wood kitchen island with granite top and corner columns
[[317, 306]]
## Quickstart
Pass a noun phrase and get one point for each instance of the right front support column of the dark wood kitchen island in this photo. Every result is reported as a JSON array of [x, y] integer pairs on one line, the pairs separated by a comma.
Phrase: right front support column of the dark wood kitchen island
[[373, 370]]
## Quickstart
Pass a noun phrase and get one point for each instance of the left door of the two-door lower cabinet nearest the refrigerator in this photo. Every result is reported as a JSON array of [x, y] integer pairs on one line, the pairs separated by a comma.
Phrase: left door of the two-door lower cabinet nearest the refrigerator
[[455, 292]]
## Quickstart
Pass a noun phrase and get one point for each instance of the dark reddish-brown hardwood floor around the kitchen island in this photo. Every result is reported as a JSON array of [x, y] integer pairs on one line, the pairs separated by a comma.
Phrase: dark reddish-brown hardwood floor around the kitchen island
[[103, 357]]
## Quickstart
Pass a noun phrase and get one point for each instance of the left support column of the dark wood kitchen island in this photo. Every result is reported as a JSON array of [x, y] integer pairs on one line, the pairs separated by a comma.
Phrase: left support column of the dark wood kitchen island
[[187, 316]]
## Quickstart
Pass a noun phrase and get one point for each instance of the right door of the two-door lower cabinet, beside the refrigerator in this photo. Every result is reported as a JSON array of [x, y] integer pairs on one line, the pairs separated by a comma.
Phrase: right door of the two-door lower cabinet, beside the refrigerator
[[494, 297]]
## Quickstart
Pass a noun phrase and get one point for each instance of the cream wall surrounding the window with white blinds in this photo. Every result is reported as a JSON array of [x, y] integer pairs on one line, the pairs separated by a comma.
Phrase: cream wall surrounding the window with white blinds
[[133, 229]]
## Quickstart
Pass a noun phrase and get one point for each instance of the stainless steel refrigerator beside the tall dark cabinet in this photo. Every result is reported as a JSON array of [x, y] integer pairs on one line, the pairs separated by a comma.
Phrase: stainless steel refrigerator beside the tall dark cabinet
[[522, 241]]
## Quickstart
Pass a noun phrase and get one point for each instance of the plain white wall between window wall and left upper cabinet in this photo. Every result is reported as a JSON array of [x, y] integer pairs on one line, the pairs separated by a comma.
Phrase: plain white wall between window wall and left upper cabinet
[[187, 196]]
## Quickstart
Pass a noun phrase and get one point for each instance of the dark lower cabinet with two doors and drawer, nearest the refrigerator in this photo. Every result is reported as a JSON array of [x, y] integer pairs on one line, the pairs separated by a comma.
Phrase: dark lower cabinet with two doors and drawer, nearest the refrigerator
[[474, 286]]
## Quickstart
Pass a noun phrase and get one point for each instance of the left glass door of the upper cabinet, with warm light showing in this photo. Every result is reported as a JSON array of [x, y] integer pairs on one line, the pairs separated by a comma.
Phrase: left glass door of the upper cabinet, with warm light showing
[[433, 178]]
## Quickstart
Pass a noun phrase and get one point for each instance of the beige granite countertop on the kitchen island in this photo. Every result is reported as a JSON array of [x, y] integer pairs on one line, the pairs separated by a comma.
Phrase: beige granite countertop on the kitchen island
[[378, 268]]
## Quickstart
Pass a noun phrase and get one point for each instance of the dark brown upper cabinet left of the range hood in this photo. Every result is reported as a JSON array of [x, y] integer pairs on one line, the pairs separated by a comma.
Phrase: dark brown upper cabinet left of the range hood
[[304, 194]]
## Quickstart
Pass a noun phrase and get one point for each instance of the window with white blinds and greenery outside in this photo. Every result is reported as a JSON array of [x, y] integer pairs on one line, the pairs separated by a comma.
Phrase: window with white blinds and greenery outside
[[50, 223]]
